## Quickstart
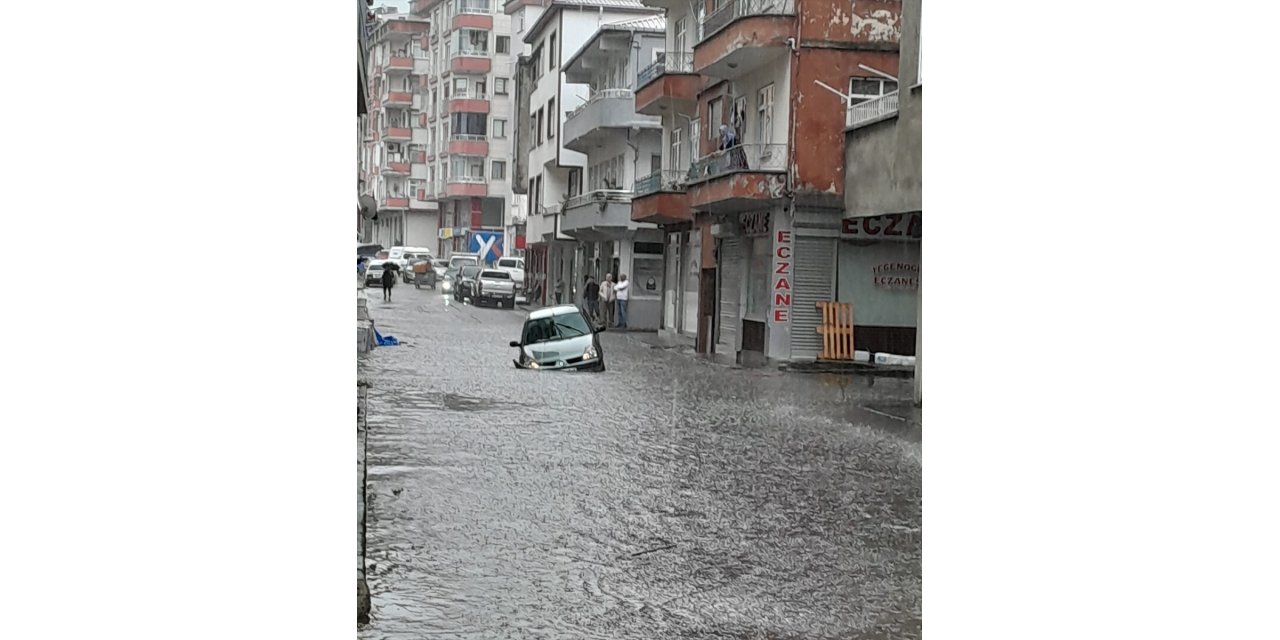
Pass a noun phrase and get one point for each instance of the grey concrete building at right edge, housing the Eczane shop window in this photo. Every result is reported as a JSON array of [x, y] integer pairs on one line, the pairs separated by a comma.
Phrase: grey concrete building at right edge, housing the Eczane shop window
[[879, 258]]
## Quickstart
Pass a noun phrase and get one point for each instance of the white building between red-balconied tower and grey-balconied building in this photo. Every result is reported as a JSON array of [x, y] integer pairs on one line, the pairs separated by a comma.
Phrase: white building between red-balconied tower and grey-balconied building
[[551, 175]]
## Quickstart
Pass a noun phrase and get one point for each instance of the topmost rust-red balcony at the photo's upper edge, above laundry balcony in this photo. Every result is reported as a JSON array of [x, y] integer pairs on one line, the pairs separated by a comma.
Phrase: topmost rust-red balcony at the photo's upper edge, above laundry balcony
[[744, 35]]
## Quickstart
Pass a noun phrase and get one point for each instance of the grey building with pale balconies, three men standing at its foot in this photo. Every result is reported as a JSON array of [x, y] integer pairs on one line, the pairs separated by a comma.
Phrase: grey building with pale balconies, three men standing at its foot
[[620, 147]]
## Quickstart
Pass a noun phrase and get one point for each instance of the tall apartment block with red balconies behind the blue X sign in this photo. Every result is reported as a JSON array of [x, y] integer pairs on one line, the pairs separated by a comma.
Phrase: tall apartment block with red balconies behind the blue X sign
[[467, 93]]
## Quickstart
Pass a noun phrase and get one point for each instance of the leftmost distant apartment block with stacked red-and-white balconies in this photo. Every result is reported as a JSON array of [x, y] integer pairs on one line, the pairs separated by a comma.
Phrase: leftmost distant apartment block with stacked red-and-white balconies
[[397, 135]]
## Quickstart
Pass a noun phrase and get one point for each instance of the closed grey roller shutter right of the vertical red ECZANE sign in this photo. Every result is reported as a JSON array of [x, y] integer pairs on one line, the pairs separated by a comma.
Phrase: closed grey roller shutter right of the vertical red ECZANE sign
[[815, 281]]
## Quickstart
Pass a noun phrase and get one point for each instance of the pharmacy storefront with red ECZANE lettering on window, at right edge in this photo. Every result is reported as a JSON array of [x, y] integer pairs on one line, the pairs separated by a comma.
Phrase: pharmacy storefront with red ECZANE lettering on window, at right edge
[[880, 275]]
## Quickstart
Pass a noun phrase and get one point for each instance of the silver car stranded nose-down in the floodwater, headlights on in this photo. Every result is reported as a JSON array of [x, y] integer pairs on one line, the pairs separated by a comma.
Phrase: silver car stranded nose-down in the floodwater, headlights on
[[559, 339]]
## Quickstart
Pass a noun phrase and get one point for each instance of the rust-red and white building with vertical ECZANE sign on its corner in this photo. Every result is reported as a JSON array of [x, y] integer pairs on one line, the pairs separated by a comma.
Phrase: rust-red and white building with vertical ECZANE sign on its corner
[[752, 188]]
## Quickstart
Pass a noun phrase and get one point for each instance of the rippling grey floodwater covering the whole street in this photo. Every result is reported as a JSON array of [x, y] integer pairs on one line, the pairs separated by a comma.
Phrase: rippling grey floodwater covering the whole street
[[665, 499]]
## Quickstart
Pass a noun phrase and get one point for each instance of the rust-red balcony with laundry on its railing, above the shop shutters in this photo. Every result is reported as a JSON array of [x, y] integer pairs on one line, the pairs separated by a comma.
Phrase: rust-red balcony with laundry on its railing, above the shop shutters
[[742, 179]]
